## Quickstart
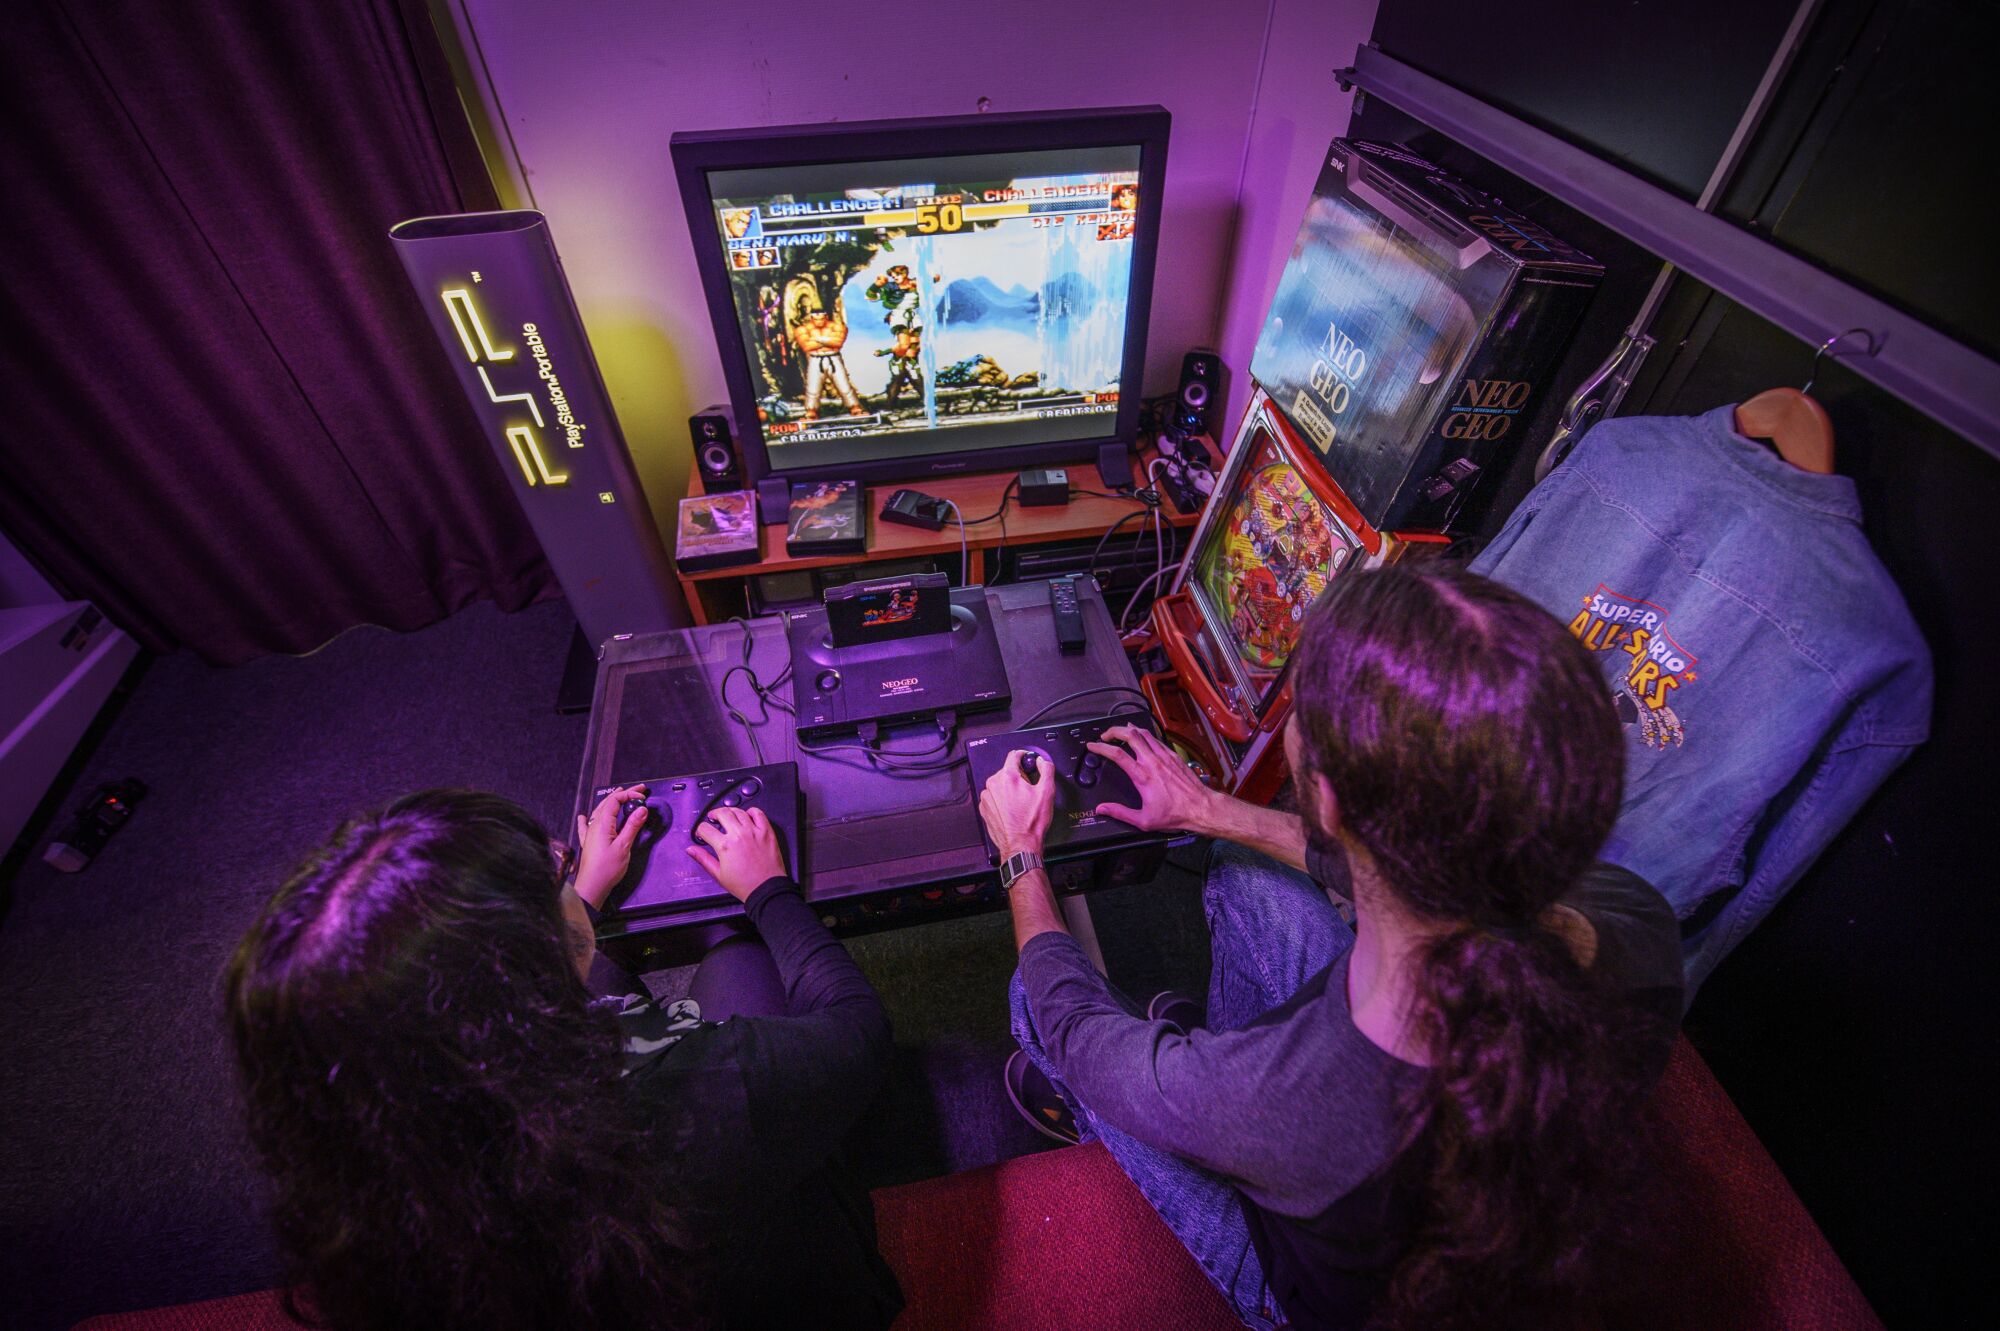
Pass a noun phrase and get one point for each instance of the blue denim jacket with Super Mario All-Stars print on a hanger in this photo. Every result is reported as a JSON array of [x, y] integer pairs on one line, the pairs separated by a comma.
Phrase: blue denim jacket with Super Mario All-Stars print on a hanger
[[1765, 666]]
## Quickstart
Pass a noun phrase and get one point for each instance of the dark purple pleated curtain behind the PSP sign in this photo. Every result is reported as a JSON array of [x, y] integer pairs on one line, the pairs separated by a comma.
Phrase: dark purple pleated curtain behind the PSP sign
[[227, 419]]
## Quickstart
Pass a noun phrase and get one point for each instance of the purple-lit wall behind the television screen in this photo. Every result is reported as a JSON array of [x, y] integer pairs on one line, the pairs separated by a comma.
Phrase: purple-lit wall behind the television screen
[[589, 95]]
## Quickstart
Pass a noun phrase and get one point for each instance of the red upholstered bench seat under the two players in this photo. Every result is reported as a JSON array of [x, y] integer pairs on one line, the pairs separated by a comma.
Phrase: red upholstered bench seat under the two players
[[1063, 1240]]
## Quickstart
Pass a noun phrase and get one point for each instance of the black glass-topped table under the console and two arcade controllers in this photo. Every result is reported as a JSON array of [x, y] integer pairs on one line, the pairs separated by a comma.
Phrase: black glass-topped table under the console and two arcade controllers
[[883, 848]]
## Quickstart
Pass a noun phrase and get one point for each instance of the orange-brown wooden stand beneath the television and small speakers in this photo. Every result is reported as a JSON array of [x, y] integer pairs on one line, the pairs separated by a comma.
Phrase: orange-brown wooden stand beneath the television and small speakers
[[717, 595]]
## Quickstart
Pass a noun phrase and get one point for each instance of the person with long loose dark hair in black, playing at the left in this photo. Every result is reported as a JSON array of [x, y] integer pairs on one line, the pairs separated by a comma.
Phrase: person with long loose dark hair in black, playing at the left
[[475, 1122]]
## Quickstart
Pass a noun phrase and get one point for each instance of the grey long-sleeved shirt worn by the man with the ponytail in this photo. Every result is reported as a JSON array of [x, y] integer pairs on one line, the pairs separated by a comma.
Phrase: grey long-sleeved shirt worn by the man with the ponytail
[[1299, 1110]]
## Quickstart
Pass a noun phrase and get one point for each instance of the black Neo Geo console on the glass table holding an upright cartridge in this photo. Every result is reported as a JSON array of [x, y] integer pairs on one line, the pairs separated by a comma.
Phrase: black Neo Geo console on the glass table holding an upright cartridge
[[839, 690]]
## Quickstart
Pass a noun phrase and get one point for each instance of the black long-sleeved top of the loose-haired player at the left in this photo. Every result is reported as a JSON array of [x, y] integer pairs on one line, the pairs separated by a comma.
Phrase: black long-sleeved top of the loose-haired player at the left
[[753, 1114]]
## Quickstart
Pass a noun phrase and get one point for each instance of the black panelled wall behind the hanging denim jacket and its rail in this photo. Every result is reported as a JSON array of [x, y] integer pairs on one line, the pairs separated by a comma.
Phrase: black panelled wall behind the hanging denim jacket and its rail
[[1855, 1026]]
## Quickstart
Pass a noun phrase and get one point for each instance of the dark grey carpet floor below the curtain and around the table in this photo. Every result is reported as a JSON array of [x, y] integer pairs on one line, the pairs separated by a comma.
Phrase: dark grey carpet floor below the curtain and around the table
[[125, 1180]]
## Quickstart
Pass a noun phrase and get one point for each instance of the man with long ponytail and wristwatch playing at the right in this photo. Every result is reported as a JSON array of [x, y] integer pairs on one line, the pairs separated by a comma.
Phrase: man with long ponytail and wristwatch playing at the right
[[1429, 1118]]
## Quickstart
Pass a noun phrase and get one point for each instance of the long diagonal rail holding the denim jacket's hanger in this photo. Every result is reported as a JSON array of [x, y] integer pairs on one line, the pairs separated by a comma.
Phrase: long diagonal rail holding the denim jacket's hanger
[[1939, 377]]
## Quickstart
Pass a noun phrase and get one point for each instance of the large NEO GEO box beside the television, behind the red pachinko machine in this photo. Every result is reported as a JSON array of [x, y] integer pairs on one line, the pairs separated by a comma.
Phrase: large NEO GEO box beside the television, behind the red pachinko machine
[[1415, 331]]
